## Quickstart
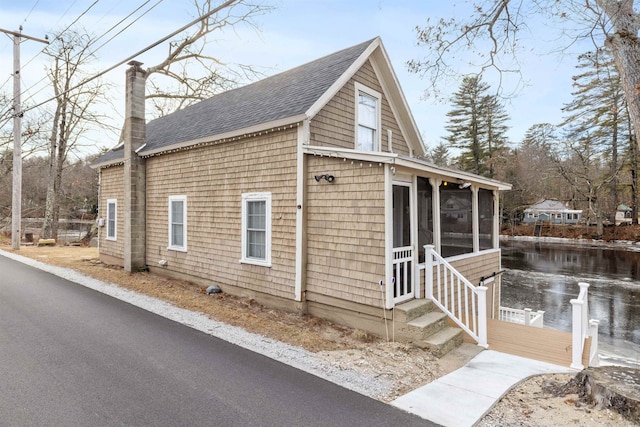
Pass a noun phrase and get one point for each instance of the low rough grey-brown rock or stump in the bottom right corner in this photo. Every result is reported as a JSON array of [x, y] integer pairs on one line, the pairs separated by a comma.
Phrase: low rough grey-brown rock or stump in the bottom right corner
[[614, 387]]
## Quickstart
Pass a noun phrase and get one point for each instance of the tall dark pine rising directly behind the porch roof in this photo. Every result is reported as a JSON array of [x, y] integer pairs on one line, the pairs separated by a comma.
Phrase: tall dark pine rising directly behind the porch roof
[[477, 127]]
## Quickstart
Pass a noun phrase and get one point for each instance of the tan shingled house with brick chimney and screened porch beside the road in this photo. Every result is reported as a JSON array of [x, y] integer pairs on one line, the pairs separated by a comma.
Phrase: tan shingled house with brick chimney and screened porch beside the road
[[304, 191]]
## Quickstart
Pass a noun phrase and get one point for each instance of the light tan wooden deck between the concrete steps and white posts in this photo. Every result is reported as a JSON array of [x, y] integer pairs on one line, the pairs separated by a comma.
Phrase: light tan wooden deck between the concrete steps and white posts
[[546, 345]]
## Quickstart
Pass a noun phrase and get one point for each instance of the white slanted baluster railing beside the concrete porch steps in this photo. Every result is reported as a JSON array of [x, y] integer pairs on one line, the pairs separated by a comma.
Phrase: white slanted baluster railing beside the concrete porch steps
[[463, 302]]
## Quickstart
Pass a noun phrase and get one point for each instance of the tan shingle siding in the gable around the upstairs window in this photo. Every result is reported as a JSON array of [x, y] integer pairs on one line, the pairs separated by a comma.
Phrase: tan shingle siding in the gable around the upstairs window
[[334, 125]]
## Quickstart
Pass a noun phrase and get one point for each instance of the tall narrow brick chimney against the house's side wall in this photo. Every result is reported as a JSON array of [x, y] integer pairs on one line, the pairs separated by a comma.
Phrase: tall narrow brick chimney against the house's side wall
[[134, 134]]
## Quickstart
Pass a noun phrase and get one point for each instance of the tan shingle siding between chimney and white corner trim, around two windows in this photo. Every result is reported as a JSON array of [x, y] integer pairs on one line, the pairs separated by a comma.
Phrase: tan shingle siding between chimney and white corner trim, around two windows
[[213, 179]]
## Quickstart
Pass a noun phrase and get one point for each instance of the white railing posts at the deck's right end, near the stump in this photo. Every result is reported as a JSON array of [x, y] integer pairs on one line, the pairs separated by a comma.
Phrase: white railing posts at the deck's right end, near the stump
[[582, 328]]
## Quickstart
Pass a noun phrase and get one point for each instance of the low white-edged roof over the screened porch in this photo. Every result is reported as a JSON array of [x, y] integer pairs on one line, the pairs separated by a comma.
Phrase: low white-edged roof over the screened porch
[[408, 162]]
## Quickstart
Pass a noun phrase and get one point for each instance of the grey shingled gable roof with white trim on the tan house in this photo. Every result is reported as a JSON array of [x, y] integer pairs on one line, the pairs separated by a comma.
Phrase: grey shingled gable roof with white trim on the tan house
[[285, 98]]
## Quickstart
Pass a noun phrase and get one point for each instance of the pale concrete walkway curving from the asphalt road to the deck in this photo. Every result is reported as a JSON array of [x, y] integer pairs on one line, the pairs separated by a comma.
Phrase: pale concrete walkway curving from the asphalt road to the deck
[[464, 396]]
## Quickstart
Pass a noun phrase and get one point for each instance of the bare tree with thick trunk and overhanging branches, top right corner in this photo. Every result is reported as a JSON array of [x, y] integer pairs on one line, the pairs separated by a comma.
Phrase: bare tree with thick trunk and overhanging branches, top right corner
[[493, 32]]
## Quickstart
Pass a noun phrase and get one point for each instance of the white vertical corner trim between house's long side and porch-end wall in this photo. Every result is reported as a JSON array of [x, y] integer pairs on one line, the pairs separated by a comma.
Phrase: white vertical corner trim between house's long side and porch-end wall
[[301, 241]]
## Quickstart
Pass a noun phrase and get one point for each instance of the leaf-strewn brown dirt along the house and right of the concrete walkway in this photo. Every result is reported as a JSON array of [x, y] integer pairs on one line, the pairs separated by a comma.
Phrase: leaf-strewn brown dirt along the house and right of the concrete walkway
[[539, 401]]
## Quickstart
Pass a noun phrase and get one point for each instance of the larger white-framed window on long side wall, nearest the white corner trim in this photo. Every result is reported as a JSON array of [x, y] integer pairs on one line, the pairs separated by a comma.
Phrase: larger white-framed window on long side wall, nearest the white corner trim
[[256, 228]]
